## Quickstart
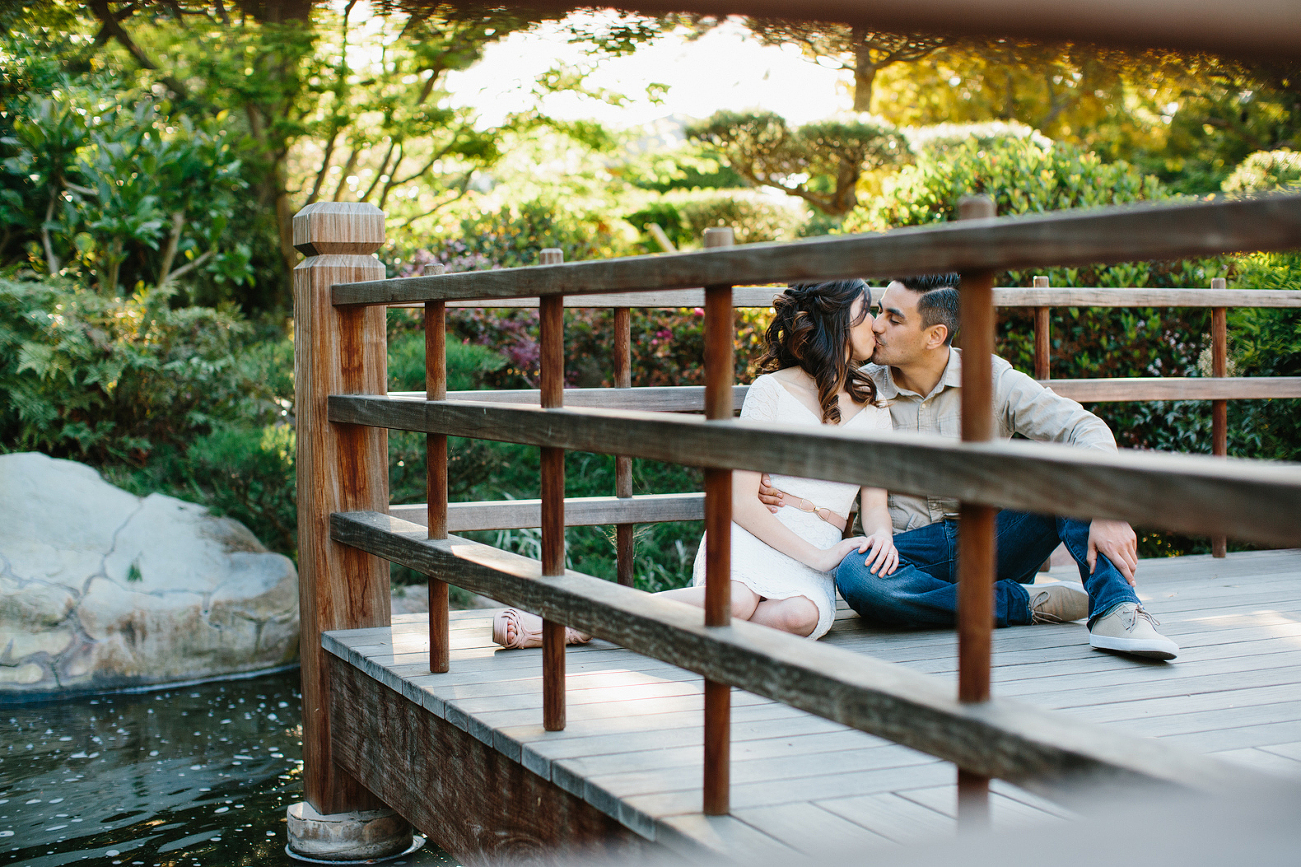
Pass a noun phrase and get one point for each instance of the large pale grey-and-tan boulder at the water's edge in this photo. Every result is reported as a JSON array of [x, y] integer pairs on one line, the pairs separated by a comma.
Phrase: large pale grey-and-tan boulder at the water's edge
[[101, 589]]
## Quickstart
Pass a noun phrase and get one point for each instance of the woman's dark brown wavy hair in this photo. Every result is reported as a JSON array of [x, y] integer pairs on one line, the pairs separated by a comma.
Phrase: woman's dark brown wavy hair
[[811, 331]]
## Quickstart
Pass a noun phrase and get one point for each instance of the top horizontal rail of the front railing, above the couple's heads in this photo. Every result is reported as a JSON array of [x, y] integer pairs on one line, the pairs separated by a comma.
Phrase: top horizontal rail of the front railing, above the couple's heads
[[1061, 239]]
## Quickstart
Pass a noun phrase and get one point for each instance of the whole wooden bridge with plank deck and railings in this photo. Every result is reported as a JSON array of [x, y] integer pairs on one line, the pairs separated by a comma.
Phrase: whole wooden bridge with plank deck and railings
[[681, 730]]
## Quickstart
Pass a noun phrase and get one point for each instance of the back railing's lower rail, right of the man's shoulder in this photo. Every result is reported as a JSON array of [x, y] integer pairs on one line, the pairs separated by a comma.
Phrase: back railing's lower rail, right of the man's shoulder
[[1177, 389]]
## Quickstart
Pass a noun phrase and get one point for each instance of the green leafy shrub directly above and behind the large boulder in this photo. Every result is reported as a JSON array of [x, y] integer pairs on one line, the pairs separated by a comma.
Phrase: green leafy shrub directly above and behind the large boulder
[[98, 378]]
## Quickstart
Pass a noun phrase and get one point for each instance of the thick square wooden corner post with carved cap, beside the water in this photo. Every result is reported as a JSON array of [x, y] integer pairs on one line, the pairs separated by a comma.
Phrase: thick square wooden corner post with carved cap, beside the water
[[342, 468]]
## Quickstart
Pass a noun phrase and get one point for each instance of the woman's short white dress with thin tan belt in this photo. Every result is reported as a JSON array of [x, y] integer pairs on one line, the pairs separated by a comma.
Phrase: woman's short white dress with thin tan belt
[[768, 572]]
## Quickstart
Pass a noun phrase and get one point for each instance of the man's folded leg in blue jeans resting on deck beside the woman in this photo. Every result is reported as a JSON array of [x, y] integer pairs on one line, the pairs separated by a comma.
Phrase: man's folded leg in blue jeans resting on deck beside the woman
[[923, 592]]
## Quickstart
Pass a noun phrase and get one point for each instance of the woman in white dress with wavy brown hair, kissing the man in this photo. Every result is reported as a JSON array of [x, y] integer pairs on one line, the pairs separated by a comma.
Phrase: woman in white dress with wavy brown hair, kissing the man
[[783, 563]]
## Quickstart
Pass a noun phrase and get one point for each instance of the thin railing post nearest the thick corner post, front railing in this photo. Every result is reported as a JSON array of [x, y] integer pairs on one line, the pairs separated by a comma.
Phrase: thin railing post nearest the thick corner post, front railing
[[436, 471]]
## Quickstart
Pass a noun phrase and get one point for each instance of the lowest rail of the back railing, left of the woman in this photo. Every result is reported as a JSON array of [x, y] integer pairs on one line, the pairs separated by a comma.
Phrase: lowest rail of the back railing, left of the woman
[[580, 512]]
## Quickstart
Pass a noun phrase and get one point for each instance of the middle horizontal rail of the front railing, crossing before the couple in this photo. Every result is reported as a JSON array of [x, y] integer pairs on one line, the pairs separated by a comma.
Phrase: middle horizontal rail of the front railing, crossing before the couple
[[1250, 501]]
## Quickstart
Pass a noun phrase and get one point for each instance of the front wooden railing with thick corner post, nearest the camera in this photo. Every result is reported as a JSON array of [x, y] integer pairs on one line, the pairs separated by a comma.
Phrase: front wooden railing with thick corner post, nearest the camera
[[345, 411]]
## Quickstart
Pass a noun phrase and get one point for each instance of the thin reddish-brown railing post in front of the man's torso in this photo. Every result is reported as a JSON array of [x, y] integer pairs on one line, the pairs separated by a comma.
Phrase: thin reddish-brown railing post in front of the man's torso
[[976, 557]]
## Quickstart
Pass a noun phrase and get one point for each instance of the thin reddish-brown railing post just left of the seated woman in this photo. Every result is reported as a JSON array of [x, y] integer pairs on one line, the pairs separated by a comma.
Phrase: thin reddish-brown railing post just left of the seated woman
[[719, 406]]
